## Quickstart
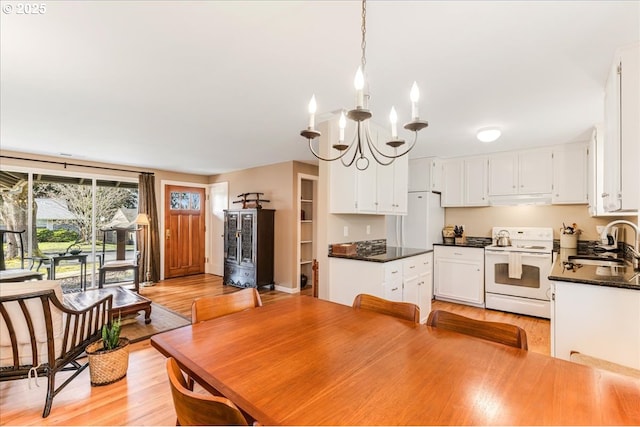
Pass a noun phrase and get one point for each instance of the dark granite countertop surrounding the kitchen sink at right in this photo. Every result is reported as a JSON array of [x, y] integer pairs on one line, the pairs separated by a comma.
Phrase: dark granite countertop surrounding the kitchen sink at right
[[622, 276]]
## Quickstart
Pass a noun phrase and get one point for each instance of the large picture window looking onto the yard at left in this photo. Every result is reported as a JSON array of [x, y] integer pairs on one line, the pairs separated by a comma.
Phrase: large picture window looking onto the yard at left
[[68, 221]]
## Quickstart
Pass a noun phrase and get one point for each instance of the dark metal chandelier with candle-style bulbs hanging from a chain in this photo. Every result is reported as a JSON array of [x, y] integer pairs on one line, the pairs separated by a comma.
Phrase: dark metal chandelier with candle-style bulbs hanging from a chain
[[355, 151]]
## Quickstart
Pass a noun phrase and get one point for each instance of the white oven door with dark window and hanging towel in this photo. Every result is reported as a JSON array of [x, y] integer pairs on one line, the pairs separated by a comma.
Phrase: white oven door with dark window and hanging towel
[[525, 275]]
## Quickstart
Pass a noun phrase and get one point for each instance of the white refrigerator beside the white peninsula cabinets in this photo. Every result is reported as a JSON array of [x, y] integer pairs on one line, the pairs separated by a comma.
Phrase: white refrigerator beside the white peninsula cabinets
[[421, 227]]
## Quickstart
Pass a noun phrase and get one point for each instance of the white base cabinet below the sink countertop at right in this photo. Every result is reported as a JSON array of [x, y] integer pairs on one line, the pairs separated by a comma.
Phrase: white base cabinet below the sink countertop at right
[[598, 321]]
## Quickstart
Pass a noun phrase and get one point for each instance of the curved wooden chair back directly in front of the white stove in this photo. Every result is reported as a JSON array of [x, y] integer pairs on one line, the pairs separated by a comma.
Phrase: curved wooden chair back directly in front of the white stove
[[503, 333]]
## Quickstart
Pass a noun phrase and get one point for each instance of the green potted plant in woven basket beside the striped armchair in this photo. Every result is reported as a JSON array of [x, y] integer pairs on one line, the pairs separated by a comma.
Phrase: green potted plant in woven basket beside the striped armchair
[[108, 357]]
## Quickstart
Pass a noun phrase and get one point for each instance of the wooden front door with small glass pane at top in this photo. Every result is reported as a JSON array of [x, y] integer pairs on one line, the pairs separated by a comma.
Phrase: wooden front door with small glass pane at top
[[184, 233]]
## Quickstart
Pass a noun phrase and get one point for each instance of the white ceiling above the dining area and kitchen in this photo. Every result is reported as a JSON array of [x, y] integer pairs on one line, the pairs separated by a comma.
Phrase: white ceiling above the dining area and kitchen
[[213, 86]]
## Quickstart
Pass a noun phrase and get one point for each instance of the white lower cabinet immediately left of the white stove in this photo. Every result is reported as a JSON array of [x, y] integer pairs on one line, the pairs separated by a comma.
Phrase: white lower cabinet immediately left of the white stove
[[459, 274]]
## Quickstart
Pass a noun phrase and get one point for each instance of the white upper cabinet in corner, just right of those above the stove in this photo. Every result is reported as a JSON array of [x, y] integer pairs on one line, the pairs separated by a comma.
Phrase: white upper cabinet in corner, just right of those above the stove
[[570, 174]]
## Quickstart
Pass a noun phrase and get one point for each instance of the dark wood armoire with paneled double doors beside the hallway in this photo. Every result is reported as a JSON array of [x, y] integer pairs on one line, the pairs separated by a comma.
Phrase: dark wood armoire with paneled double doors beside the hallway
[[248, 247]]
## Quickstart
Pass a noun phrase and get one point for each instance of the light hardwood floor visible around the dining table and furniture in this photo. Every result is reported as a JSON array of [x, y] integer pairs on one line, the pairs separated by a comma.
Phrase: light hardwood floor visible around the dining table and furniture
[[143, 396]]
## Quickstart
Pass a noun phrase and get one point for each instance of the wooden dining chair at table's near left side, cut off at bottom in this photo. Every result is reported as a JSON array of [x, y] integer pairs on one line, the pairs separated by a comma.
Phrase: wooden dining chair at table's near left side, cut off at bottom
[[197, 409]]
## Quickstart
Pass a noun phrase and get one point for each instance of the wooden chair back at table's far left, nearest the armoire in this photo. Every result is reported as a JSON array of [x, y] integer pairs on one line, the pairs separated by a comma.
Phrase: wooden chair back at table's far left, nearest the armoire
[[206, 308]]
